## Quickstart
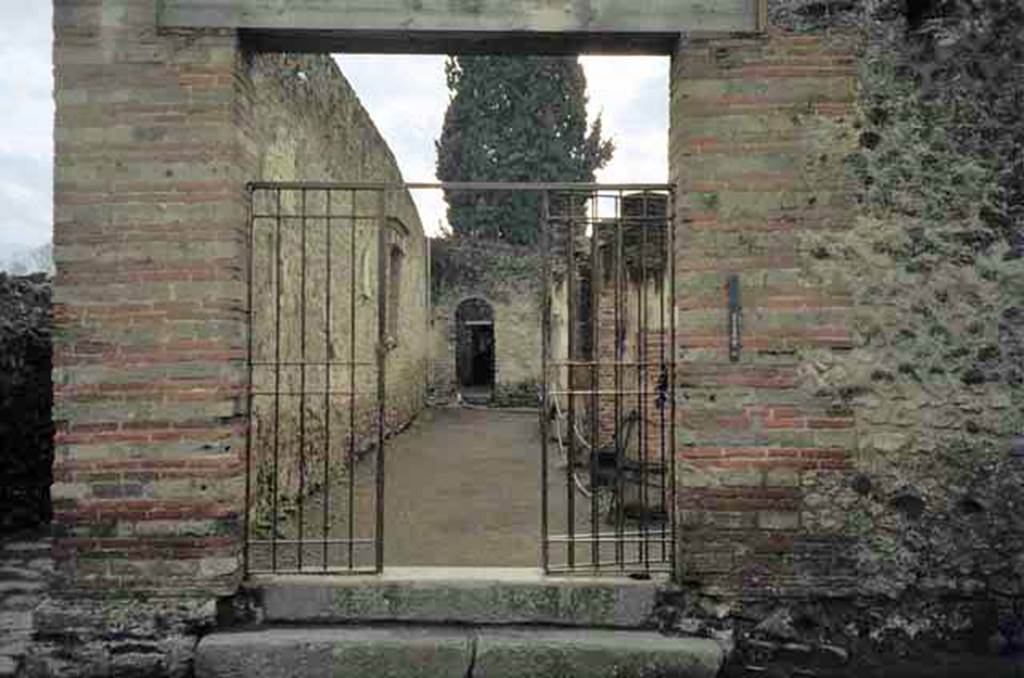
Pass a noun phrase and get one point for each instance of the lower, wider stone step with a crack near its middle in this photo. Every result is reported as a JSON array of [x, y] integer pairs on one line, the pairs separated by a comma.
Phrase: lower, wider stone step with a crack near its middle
[[450, 653]]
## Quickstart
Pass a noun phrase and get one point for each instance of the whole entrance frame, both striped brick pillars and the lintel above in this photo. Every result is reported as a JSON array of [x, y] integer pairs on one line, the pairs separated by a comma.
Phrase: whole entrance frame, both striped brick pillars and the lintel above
[[151, 229]]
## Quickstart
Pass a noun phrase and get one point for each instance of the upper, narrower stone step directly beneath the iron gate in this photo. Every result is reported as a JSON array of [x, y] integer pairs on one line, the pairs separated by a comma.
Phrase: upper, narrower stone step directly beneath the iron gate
[[420, 597]]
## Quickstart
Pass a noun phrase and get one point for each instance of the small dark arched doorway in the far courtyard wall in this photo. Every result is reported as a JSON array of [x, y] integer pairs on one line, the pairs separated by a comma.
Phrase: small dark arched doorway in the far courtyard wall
[[476, 350]]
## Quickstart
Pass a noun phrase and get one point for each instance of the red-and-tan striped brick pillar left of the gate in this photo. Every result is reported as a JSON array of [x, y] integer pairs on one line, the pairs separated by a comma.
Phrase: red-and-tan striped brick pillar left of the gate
[[150, 302]]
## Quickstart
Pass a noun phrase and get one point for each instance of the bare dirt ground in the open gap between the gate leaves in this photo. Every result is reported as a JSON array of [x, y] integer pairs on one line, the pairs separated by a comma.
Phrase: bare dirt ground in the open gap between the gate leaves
[[463, 489]]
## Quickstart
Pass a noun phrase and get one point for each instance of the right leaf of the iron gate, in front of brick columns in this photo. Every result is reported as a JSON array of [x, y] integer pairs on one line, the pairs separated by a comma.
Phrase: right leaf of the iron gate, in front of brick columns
[[609, 393]]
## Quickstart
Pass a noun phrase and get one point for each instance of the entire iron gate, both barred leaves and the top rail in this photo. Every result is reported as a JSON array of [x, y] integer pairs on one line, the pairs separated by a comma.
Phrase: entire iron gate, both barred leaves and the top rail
[[315, 482]]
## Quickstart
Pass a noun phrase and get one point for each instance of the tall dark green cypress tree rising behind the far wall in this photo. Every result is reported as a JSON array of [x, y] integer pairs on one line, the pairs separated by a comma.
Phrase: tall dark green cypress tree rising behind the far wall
[[515, 120]]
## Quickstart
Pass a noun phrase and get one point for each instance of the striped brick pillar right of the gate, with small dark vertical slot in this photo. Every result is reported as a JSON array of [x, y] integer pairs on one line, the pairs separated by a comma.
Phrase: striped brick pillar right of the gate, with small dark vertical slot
[[760, 128]]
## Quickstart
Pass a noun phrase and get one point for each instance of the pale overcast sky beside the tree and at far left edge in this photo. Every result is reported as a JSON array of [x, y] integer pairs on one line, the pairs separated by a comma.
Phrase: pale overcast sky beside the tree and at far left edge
[[406, 97]]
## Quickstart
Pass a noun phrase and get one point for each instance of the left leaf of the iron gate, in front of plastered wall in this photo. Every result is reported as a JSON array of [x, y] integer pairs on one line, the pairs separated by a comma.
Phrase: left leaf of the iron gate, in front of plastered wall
[[318, 347]]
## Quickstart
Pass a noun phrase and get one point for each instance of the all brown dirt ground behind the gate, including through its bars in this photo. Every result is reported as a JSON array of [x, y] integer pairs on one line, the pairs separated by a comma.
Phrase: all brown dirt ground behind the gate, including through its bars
[[462, 490]]
